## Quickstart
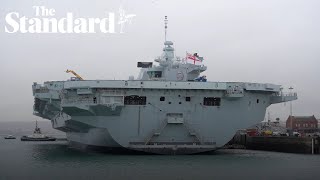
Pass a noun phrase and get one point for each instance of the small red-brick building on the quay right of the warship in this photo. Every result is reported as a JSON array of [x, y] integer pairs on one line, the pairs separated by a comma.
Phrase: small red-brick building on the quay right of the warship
[[302, 124]]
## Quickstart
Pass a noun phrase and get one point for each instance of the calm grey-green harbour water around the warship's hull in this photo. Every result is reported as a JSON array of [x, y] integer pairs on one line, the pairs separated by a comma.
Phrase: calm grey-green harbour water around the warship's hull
[[54, 160]]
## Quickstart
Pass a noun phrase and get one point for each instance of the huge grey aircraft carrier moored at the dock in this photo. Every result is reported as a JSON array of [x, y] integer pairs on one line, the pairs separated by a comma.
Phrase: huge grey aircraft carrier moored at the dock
[[169, 109]]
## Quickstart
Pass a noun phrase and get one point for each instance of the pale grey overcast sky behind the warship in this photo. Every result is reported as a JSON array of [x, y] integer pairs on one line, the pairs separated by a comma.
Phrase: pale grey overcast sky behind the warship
[[267, 41]]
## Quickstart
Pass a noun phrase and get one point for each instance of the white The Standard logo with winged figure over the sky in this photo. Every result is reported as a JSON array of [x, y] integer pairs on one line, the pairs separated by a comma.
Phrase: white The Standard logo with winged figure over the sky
[[45, 22]]
